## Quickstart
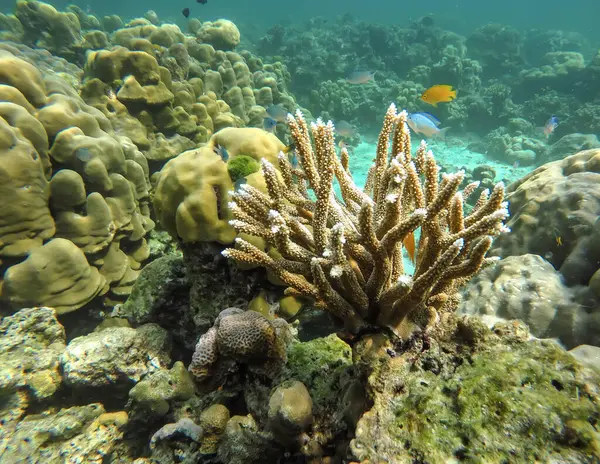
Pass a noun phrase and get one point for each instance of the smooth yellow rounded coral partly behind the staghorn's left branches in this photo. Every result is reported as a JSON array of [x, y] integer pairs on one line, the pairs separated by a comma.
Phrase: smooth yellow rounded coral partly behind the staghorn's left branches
[[191, 198]]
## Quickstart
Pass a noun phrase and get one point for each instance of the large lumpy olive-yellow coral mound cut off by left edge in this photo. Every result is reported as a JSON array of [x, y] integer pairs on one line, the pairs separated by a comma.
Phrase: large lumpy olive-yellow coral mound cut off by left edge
[[75, 197]]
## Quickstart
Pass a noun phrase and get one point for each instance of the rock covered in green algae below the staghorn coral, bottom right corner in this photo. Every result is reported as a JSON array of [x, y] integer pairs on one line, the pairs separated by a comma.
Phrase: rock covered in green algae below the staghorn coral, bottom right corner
[[481, 396]]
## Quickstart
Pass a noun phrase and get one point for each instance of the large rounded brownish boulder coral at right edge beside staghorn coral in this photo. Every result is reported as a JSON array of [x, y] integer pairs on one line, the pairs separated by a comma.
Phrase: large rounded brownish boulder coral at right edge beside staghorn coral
[[554, 213]]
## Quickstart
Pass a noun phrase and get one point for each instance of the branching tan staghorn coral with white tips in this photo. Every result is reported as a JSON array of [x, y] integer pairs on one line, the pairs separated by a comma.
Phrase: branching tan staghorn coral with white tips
[[345, 251]]
